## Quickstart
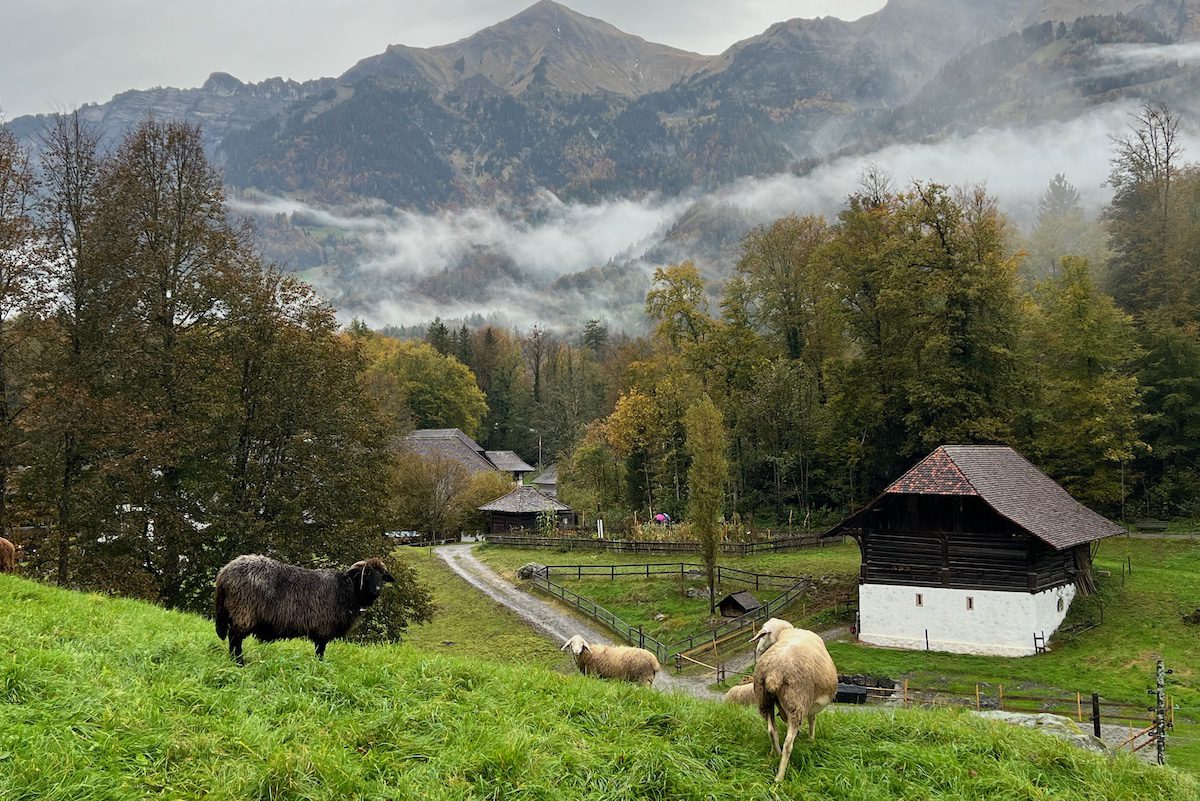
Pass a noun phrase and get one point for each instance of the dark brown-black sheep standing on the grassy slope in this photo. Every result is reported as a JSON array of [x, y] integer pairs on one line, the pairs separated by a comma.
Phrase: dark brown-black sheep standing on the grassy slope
[[260, 597]]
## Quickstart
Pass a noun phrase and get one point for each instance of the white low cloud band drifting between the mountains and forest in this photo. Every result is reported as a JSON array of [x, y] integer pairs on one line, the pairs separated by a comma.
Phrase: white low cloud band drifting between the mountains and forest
[[550, 239]]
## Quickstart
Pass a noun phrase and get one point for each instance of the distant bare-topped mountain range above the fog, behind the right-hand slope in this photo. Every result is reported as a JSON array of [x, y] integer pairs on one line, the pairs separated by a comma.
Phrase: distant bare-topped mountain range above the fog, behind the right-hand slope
[[555, 100]]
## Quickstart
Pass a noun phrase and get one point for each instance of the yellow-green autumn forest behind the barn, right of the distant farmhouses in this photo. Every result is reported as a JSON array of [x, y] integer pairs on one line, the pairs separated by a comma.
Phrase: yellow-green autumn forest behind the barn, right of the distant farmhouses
[[842, 351]]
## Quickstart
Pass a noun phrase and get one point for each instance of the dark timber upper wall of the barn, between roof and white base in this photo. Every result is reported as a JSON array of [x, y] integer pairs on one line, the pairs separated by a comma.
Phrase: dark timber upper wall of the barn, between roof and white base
[[957, 541]]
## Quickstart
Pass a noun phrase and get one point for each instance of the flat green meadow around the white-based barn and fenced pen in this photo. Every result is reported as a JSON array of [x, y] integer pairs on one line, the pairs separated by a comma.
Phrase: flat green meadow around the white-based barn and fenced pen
[[1143, 622]]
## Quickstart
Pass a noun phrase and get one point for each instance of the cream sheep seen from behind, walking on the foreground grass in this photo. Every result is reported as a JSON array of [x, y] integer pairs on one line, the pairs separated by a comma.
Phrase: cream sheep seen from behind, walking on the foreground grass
[[796, 674]]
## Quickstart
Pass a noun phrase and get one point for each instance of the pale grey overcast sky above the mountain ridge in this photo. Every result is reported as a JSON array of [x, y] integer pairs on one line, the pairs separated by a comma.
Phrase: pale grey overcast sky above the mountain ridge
[[58, 55]]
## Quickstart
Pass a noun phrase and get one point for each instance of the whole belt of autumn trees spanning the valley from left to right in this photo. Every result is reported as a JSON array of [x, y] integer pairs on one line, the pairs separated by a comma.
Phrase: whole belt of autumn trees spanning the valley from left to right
[[171, 401]]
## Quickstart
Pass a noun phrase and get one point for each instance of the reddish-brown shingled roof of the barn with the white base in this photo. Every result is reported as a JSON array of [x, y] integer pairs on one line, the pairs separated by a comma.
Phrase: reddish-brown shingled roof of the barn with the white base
[[1010, 485]]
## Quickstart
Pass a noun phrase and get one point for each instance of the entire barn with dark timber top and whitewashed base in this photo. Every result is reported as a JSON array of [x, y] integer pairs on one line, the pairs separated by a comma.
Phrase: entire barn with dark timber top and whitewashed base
[[974, 551]]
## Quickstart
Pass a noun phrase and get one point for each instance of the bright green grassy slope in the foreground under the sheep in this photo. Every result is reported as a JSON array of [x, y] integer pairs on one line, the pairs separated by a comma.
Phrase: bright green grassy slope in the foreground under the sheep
[[105, 698]]
